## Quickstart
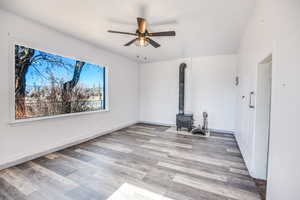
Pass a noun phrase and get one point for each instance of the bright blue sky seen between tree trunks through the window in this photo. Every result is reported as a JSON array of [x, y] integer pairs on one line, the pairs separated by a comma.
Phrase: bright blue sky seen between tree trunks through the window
[[39, 73]]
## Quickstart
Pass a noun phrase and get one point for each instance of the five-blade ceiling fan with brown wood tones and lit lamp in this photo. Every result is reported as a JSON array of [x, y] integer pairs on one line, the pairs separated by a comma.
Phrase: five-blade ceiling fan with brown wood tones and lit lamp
[[143, 36]]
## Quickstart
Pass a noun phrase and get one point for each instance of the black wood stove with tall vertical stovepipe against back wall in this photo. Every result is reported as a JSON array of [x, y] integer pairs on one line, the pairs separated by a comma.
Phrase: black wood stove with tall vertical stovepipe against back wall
[[183, 120]]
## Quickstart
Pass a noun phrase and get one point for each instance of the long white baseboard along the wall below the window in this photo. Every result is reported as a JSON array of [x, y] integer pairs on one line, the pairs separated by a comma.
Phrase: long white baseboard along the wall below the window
[[62, 145]]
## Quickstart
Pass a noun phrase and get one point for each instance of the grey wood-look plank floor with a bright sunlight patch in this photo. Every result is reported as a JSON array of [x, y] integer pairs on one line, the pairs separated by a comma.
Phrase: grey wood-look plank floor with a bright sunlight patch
[[141, 162]]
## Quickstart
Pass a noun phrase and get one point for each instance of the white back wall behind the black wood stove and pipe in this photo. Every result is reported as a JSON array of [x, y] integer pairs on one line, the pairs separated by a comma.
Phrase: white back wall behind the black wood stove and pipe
[[209, 87]]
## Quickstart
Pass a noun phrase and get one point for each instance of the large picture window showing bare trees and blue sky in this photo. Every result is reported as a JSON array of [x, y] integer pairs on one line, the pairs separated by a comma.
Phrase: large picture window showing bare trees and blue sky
[[49, 85]]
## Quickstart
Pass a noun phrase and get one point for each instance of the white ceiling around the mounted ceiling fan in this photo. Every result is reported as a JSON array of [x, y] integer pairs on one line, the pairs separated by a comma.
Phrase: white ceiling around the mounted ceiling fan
[[203, 27]]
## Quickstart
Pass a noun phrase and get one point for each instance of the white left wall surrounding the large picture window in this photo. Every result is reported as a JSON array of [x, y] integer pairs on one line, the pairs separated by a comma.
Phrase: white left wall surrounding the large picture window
[[19, 141]]
